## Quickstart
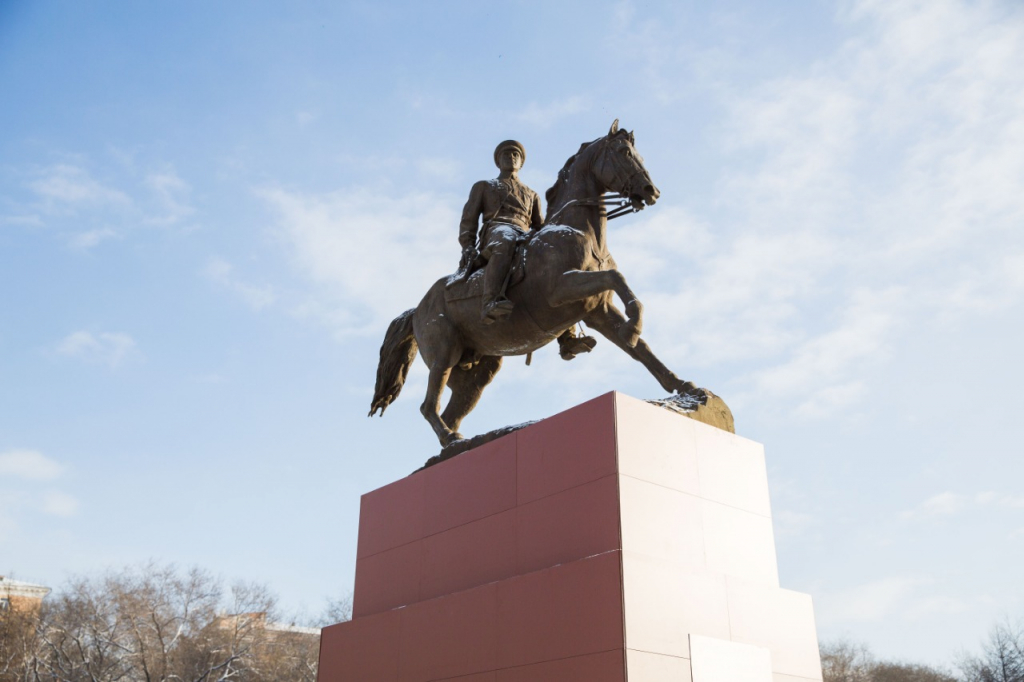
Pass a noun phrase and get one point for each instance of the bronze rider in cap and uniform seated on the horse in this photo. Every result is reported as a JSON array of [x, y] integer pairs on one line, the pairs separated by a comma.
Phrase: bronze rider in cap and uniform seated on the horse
[[510, 210]]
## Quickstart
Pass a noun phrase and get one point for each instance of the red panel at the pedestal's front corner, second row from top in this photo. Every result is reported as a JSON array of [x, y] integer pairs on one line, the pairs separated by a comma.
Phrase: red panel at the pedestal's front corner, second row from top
[[569, 526]]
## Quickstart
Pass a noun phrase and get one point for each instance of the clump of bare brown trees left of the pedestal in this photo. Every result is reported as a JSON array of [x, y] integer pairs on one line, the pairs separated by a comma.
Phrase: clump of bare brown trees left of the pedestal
[[156, 624]]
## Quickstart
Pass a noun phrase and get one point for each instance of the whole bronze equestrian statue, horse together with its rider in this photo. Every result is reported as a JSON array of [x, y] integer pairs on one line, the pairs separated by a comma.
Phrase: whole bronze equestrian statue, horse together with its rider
[[524, 283]]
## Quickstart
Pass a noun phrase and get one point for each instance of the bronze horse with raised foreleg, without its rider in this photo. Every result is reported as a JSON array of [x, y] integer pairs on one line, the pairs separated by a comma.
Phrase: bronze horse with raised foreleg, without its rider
[[570, 278]]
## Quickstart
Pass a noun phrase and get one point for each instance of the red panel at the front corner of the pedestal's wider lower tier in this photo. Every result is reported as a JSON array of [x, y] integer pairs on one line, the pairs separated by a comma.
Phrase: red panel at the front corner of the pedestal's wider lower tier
[[561, 613]]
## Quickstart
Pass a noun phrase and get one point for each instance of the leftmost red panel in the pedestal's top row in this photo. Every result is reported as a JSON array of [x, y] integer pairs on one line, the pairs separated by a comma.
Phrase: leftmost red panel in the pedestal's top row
[[392, 516]]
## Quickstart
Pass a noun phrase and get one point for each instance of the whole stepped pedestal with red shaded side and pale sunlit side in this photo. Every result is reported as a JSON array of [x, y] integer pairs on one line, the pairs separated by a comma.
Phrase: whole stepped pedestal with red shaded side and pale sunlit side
[[614, 540]]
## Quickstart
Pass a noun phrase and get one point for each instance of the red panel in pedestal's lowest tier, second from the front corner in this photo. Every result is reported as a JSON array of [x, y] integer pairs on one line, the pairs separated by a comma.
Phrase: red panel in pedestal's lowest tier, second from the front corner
[[451, 636]]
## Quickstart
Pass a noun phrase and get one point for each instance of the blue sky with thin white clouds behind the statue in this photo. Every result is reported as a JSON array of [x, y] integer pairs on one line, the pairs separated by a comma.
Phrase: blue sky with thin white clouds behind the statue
[[210, 212]]
